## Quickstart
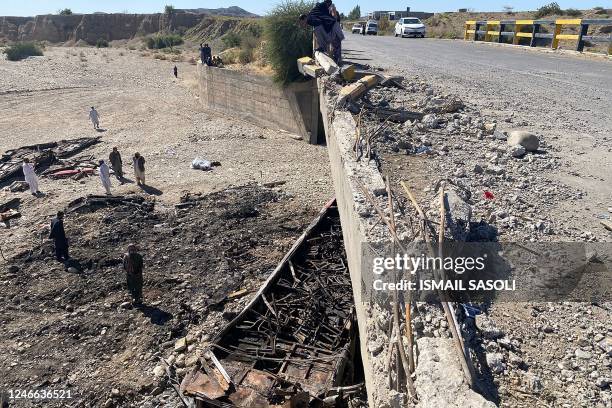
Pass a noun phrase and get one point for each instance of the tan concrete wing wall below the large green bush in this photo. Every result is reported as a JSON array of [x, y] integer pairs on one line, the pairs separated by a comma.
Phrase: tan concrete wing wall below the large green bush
[[258, 100]]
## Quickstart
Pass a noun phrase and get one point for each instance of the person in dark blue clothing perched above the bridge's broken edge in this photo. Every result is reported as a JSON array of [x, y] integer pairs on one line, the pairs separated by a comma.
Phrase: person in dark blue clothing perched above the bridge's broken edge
[[327, 29]]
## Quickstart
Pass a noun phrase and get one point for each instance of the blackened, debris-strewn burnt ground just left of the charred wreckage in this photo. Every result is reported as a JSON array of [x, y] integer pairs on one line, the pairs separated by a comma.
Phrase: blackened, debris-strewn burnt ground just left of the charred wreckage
[[228, 241]]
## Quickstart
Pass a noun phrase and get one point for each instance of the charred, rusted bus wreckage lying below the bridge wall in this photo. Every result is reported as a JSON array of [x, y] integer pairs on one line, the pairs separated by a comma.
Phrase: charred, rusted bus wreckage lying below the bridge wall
[[294, 344]]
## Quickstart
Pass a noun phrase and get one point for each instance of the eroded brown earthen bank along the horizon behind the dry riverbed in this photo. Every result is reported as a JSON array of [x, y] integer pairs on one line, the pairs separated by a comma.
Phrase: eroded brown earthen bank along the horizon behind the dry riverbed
[[91, 27]]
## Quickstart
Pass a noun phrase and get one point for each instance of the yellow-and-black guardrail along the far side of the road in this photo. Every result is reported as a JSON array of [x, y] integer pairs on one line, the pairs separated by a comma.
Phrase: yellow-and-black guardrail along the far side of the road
[[500, 30]]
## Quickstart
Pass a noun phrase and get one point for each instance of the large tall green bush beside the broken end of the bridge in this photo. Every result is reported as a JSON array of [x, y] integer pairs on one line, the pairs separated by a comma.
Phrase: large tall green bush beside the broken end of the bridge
[[285, 40]]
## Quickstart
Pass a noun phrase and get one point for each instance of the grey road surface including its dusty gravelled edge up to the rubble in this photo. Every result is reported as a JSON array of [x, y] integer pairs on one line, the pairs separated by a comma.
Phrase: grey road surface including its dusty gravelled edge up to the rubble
[[563, 97]]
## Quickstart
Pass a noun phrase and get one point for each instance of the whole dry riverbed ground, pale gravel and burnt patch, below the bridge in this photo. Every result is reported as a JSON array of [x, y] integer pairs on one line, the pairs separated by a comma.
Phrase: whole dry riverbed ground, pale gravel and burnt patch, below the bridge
[[69, 331]]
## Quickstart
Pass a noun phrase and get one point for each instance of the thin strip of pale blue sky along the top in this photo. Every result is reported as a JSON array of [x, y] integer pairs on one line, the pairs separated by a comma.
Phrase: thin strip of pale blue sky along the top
[[34, 7]]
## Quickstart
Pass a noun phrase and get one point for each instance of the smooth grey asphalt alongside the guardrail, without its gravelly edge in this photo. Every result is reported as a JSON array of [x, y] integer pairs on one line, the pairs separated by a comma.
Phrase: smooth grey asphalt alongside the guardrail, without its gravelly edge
[[560, 84]]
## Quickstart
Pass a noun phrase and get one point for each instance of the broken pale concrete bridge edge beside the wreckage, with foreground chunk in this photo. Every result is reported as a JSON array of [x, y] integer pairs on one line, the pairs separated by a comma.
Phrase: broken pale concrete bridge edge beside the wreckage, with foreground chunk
[[440, 381]]
